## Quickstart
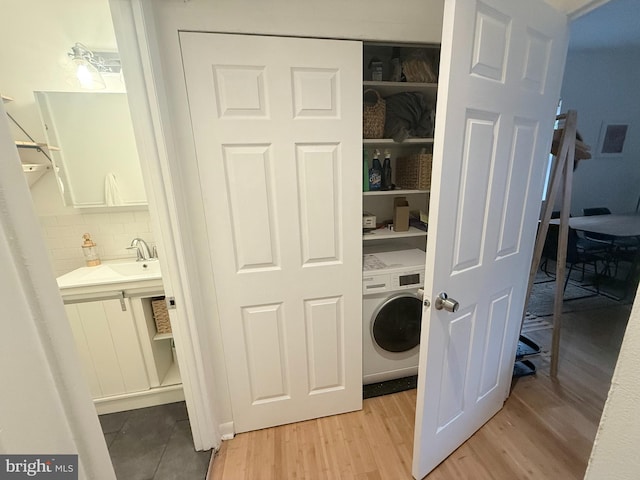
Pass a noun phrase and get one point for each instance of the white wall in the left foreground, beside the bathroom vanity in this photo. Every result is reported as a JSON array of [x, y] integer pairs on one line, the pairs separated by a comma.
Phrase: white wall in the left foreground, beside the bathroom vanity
[[45, 405]]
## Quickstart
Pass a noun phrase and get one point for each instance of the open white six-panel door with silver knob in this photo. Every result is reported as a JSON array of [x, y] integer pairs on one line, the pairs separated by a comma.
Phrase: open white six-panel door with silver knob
[[500, 75]]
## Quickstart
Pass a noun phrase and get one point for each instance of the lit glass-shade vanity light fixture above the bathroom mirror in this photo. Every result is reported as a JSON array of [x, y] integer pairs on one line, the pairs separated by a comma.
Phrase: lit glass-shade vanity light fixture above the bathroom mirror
[[90, 66]]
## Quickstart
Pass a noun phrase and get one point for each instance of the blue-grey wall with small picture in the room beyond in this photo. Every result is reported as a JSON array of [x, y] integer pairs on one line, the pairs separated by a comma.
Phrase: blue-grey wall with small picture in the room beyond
[[602, 85]]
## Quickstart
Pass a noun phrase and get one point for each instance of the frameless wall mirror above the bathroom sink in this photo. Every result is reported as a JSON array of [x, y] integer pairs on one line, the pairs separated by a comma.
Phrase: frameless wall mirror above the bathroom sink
[[97, 163]]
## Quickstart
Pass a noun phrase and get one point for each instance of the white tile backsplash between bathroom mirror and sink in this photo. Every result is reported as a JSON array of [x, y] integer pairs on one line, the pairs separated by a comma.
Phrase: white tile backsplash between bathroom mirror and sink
[[112, 233]]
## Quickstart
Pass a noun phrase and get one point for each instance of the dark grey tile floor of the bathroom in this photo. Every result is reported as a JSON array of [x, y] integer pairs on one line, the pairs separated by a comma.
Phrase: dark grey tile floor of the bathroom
[[153, 444]]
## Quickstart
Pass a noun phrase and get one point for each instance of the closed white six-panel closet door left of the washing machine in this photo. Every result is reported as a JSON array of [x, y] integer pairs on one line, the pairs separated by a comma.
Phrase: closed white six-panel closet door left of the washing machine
[[277, 132]]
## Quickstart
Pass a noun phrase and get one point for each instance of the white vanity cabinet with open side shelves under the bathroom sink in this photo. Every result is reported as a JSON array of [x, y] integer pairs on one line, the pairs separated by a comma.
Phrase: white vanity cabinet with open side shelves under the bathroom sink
[[126, 363]]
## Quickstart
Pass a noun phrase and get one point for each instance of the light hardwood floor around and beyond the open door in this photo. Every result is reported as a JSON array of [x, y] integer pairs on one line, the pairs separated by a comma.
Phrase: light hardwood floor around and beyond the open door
[[545, 431]]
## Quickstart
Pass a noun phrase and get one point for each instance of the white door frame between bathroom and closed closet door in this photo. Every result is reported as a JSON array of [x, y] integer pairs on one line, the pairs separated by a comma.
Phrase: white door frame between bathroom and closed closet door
[[138, 52]]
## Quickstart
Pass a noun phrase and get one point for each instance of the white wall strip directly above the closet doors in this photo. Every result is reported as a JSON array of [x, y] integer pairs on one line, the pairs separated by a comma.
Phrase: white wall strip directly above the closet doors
[[409, 21]]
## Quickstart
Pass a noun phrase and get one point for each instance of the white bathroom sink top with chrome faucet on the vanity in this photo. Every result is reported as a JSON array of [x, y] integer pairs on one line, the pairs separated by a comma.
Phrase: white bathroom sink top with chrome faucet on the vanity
[[111, 272]]
